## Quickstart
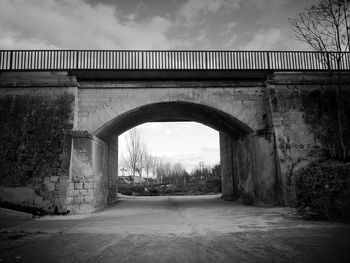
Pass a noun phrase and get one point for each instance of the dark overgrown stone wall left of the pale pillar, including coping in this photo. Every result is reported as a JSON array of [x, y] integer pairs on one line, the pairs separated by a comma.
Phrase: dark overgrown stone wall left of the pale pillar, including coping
[[35, 137]]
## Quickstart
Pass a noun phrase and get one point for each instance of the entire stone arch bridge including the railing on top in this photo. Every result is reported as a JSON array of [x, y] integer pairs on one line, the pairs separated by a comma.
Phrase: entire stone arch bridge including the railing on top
[[62, 113]]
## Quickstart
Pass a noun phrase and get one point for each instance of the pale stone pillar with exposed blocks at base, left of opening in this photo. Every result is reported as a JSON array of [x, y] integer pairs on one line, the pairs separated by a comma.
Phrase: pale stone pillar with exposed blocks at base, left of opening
[[88, 182]]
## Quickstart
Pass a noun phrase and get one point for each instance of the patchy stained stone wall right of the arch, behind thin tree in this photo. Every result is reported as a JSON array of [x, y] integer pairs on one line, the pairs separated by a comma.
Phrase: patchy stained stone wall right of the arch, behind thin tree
[[304, 116]]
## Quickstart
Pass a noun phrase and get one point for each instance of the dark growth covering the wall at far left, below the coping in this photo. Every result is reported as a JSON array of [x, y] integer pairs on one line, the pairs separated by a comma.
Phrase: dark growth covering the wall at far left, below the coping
[[34, 138]]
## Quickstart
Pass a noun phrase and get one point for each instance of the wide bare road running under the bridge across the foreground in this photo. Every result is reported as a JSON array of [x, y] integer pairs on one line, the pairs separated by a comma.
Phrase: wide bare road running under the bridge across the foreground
[[176, 229]]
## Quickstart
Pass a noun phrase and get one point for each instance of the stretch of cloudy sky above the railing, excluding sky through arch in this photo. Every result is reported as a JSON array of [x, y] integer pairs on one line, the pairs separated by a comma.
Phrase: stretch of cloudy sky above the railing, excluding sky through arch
[[191, 24]]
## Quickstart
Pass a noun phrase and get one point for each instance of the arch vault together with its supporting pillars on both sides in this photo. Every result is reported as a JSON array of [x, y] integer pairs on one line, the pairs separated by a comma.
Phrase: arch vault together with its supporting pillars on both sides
[[242, 151]]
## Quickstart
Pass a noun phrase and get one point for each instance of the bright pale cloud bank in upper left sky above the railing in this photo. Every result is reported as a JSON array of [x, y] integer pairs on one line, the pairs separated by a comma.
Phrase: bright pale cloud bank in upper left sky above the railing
[[76, 24]]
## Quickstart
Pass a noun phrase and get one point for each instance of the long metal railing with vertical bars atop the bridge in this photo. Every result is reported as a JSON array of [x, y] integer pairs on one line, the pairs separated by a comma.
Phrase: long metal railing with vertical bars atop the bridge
[[55, 60]]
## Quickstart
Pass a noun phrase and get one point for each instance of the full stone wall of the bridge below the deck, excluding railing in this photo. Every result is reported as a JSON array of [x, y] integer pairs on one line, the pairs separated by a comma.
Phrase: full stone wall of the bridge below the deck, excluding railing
[[49, 131]]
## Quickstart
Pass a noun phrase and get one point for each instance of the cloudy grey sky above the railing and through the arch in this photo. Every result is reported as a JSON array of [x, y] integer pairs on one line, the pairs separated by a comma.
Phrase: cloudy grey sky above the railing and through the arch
[[154, 24]]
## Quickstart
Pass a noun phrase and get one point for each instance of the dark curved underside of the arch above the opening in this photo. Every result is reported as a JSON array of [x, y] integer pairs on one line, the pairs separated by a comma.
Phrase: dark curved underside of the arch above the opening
[[174, 111]]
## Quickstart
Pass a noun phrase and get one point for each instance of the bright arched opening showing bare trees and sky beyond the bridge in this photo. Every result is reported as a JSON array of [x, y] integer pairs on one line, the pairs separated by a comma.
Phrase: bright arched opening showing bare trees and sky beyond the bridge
[[169, 158]]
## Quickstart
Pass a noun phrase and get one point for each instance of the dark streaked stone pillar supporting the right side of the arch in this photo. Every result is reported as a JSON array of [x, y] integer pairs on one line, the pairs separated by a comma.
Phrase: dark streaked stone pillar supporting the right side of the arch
[[248, 169]]
